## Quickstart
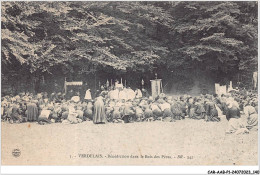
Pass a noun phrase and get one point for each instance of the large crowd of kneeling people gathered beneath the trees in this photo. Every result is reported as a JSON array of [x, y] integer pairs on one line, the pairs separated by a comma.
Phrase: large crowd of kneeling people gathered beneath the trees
[[125, 105]]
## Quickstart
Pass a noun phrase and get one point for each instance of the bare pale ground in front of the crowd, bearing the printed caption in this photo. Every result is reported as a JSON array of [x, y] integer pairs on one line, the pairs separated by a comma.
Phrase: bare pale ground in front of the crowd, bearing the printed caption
[[186, 142]]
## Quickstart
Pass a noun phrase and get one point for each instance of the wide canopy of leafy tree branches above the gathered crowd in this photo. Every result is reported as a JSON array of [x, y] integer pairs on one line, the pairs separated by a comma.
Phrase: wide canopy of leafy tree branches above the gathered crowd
[[83, 36]]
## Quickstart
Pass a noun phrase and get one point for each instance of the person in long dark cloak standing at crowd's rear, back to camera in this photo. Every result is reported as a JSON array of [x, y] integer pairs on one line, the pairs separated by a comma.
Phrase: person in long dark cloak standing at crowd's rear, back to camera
[[99, 111]]
